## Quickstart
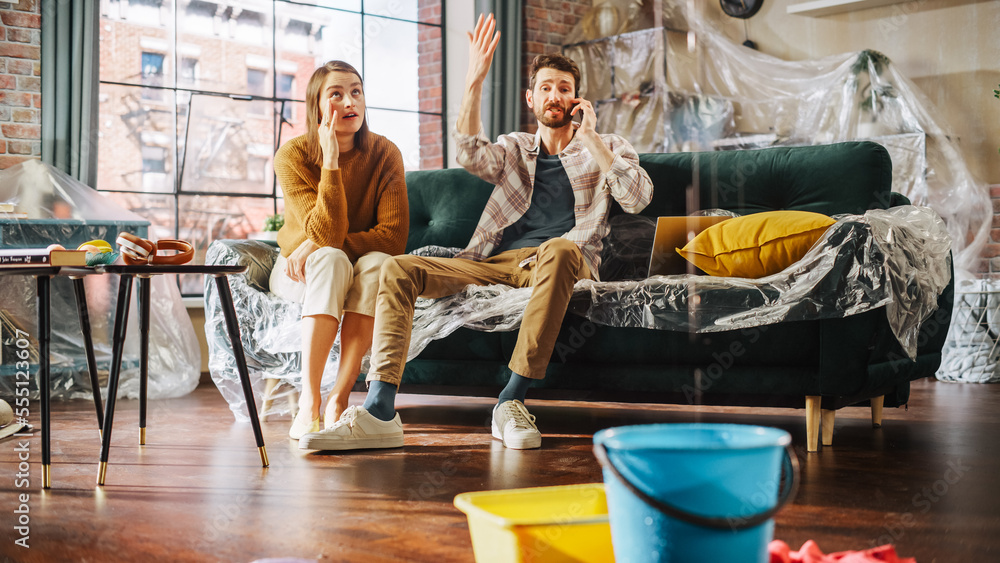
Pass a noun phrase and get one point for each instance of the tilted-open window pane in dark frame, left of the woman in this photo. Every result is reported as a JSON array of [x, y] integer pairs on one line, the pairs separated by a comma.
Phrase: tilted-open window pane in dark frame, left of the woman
[[230, 144]]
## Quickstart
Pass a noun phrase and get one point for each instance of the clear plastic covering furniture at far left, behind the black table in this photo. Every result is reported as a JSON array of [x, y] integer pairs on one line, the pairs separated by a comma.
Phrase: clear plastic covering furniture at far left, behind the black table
[[52, 207]]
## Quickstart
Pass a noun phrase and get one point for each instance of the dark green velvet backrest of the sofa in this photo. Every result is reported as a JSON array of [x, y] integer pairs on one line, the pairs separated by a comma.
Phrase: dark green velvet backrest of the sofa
[[852, 177]]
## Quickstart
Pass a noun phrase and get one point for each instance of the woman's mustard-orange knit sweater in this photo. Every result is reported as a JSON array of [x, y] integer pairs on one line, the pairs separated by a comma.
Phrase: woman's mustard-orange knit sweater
[[359, 208]]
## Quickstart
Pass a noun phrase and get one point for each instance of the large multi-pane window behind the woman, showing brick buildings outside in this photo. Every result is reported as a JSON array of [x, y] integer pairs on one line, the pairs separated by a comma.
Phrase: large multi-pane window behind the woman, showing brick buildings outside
[[197, 95]]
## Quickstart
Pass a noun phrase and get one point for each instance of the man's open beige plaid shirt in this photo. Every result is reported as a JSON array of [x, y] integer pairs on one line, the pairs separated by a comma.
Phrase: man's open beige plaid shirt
[[510, 165]]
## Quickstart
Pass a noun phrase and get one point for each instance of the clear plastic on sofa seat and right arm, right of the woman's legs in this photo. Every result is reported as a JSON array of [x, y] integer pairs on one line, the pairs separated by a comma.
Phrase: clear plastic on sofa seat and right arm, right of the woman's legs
[[896, 258]]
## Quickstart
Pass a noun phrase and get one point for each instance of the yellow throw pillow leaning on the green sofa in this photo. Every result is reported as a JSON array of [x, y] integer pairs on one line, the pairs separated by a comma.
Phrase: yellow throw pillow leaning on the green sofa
[[757, 245]]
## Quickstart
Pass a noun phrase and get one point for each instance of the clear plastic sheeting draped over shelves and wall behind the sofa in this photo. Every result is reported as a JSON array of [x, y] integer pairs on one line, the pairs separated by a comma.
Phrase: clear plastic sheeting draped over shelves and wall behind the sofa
[[694, 89]]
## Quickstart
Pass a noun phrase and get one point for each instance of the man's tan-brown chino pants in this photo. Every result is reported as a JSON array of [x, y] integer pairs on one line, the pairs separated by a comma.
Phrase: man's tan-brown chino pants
[[558, 265]]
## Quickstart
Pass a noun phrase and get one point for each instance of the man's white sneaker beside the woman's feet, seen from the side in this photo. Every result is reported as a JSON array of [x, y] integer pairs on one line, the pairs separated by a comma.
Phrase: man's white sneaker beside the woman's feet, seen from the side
[[357, 429]]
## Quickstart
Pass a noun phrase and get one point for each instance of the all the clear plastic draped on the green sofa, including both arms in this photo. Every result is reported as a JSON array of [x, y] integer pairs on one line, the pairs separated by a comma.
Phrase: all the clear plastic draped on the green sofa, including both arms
[[897, 259]]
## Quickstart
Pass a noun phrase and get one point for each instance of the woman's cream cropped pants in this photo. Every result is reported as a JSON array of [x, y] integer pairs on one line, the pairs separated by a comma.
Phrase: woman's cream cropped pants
[[333, 285]]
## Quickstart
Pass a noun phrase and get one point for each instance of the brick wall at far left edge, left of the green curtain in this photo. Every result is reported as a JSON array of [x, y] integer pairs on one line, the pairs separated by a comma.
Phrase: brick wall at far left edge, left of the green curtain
[[20, 82]]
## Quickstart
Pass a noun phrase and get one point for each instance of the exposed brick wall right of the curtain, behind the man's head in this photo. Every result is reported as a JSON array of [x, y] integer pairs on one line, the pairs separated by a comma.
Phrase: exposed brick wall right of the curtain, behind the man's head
[[546, 24]]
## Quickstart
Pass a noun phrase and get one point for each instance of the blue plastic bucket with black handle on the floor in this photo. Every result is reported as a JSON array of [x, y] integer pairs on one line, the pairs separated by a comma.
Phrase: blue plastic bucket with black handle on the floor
[[694, 492]]
